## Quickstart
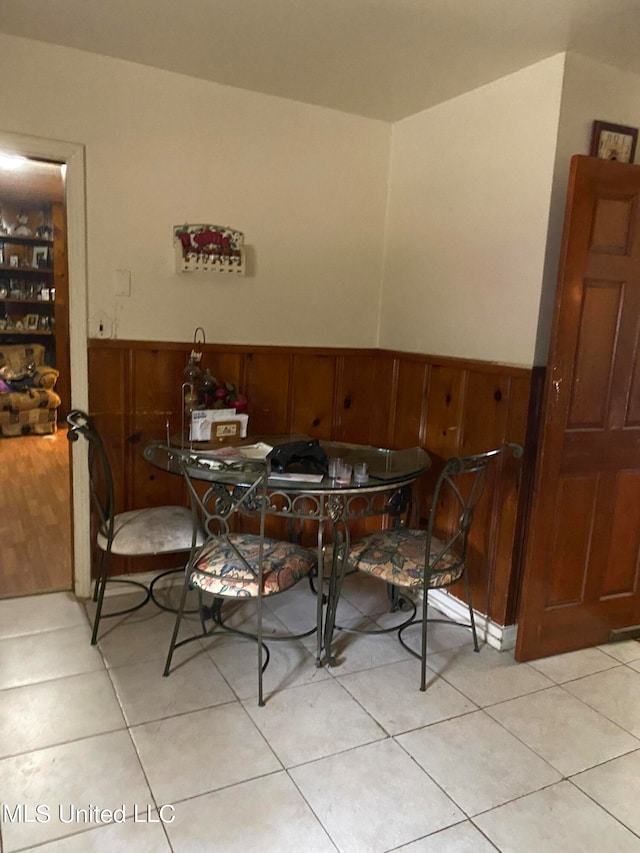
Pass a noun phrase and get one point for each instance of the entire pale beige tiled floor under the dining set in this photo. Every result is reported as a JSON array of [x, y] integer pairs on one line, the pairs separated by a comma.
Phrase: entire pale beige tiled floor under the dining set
[[494, 756]]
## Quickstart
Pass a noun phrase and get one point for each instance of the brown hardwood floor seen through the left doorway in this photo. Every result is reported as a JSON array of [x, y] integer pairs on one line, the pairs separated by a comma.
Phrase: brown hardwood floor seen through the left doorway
[[35, 515]]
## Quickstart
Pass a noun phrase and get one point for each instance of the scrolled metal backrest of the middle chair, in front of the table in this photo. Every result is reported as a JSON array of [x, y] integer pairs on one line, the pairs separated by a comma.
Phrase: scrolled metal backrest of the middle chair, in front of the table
[[240, 489]]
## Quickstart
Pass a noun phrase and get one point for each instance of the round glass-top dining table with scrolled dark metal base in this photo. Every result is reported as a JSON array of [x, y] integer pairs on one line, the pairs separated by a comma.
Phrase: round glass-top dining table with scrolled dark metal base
[[387, 491]]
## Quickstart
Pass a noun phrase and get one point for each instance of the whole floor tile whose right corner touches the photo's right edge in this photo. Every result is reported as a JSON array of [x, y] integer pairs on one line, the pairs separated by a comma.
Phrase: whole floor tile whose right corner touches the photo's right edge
[[564, 731]]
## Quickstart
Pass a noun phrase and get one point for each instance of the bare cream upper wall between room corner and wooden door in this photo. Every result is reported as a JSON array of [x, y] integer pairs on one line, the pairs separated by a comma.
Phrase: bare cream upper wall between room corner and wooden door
[[470, 186]]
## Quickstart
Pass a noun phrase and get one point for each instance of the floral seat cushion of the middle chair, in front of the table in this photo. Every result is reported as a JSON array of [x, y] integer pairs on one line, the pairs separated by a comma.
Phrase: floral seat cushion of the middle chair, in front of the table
[[220, 571]]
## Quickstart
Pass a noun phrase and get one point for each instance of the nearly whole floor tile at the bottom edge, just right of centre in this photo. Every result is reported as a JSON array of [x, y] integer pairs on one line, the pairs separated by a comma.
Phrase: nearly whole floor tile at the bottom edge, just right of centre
[[374, 798]]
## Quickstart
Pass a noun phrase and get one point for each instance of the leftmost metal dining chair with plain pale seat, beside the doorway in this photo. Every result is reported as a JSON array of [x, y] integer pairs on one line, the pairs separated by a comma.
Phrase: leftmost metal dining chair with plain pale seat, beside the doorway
[[136, 533]]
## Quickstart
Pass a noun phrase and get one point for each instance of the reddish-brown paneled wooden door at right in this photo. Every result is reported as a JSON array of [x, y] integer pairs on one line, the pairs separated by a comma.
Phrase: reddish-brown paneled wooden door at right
[[582, 565]]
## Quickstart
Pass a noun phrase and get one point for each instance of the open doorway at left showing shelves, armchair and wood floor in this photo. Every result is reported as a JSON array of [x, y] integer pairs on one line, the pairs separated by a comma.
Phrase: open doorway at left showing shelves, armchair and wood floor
[[35, 496]]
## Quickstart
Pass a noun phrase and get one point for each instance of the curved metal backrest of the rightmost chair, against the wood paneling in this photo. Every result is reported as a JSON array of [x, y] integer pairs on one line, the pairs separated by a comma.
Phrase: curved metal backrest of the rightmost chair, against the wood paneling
[[457, 493]]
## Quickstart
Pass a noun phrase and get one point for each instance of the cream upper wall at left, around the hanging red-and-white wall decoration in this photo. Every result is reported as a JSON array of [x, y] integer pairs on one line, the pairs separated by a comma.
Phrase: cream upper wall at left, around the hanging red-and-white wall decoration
[[306, 185]]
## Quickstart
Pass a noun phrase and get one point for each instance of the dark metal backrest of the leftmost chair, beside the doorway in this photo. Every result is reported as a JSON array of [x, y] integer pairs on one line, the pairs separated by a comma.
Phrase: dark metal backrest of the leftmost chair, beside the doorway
[[100, 475]]
